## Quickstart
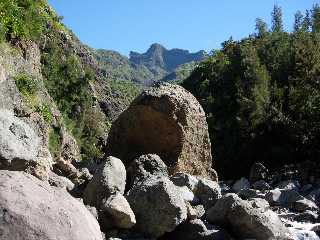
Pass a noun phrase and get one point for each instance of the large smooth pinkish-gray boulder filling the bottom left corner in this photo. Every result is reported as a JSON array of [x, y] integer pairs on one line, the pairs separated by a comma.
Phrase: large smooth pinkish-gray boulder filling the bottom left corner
[[32, 209]]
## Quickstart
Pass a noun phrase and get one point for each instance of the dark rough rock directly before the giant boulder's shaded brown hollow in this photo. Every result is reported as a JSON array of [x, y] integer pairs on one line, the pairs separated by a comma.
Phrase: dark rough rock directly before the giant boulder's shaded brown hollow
[[145, 166]]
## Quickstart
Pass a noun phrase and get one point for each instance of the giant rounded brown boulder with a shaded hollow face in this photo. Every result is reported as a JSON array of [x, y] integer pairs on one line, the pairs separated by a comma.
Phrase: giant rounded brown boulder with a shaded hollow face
[[168, 121]]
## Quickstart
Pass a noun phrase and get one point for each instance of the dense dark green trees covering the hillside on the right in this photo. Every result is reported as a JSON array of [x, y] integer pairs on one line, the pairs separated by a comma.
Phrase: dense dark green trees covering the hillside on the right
[[262, 95]]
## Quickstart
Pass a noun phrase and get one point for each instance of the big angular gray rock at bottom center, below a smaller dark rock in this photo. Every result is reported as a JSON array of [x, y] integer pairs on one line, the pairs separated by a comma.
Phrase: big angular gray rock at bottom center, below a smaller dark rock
[[157, 206]]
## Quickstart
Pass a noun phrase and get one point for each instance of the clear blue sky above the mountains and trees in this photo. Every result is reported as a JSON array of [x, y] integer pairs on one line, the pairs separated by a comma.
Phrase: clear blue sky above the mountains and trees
[[125, 25]]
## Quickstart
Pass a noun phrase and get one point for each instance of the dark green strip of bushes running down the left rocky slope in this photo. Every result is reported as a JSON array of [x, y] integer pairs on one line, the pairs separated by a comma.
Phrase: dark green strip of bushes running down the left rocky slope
[[68, 81]]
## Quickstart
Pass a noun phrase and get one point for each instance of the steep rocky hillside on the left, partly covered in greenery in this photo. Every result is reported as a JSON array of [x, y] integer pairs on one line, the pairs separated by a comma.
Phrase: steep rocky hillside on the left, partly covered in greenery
[[50, 78]]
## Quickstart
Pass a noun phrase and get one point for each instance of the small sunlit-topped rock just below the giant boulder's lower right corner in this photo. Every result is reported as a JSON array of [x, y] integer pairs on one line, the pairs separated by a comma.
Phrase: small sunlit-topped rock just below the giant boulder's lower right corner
[[208, 192]]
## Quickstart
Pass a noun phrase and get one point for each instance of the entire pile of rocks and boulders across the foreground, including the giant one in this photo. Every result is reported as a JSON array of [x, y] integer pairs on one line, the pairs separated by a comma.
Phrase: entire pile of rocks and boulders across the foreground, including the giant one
[[163, 191]]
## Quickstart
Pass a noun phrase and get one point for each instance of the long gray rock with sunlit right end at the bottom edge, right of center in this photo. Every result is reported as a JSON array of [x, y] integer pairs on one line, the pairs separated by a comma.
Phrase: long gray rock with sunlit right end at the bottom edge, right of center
[[247, 221]]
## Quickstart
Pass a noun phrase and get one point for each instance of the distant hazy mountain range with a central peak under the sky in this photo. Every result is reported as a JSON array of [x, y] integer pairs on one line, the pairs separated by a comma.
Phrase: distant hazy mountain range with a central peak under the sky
[[157, 64]]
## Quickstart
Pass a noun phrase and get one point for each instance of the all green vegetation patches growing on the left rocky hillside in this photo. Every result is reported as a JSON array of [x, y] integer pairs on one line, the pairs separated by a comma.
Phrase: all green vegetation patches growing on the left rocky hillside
[[66, 78]]
